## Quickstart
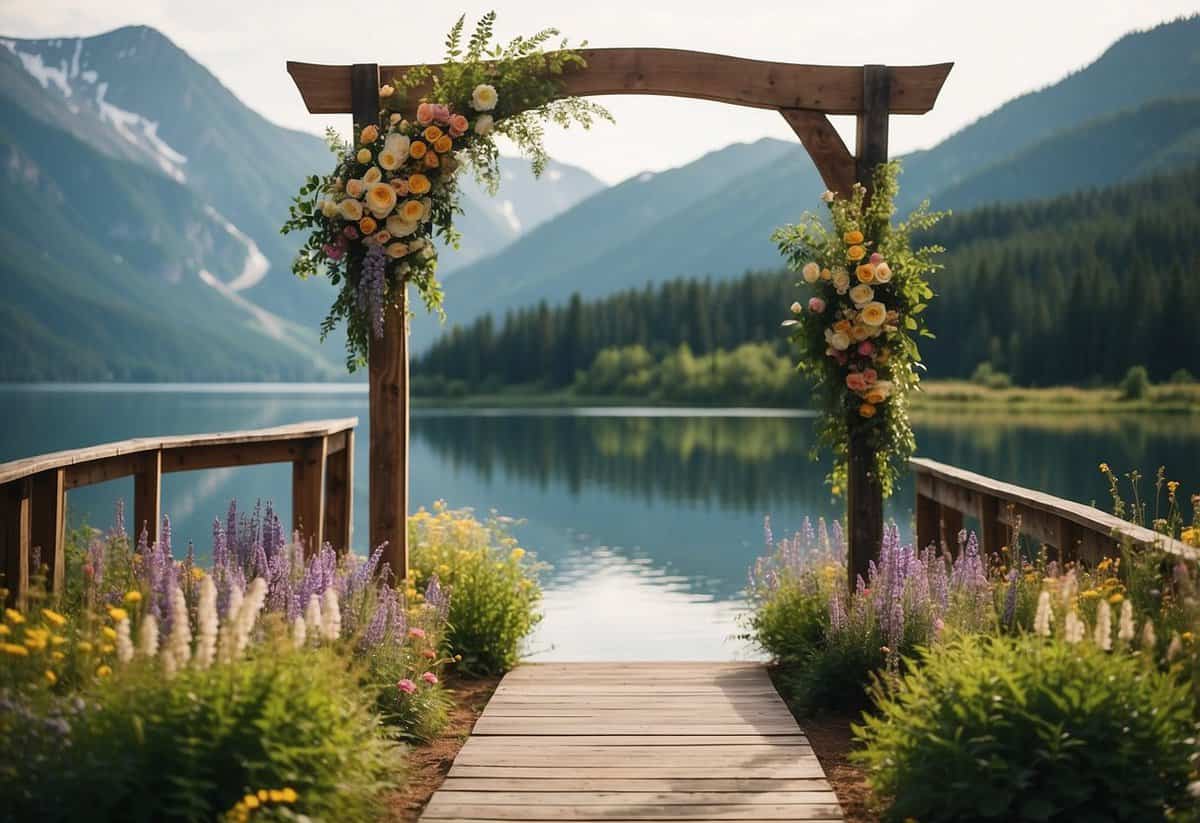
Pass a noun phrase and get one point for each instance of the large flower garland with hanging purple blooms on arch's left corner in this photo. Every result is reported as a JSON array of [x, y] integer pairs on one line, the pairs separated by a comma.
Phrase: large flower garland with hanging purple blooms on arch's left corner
[[373, 221]]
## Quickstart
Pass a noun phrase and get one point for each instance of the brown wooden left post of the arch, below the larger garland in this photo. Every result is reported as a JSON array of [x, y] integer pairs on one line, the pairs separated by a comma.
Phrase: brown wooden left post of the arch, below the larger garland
[[388, 374]]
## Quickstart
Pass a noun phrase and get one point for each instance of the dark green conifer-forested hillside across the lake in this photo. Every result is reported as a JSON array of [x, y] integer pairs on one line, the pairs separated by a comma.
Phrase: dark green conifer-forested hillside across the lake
[[1073, 290]]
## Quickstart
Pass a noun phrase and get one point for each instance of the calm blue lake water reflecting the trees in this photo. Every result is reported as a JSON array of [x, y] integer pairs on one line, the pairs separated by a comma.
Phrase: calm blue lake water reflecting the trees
[[649, 518]]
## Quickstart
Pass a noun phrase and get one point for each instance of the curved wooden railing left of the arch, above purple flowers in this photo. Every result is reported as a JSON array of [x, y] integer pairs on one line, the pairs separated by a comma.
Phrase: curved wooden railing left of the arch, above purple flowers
[[33, 491]]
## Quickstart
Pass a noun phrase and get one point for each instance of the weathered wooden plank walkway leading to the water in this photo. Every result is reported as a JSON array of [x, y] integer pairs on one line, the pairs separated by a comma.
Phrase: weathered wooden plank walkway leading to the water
[[635, 742]]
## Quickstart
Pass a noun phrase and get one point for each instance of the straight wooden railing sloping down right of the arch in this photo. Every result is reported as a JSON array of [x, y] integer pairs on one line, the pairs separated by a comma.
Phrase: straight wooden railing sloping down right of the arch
[[945, 494]]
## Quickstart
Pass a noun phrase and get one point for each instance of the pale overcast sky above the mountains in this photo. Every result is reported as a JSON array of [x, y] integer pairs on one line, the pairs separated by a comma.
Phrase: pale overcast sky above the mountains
[[1000, 51]]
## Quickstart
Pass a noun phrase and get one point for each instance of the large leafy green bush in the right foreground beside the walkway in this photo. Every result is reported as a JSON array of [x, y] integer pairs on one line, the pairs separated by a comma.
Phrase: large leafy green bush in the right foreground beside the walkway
[[1029, 730]]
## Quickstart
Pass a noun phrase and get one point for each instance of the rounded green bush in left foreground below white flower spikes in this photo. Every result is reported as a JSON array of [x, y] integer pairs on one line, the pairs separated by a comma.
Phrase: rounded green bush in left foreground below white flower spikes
[[189, 749]]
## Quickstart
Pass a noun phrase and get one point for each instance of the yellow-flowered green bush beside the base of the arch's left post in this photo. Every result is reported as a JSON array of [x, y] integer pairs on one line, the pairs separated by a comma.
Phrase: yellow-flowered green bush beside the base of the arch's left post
[[493, 582]]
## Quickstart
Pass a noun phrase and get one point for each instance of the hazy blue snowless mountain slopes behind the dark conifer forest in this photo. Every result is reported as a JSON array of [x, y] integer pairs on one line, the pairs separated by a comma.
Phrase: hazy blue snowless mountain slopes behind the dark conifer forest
[[1097, 127]]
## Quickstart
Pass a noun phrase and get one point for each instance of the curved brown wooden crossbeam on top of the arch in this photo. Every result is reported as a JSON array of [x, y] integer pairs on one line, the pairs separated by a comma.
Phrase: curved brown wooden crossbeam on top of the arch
[[677, 74]]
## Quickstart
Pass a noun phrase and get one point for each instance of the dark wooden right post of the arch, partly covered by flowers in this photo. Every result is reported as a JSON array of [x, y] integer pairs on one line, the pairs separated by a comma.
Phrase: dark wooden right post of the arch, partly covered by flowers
[[865, 492]]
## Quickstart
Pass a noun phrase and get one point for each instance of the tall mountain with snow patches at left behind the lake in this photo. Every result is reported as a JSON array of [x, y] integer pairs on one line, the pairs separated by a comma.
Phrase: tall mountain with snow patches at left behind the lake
[[170, 193]]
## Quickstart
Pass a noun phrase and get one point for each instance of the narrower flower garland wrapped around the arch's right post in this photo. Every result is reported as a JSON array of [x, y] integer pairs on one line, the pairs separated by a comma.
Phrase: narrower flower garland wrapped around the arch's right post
[[857, 331]]
